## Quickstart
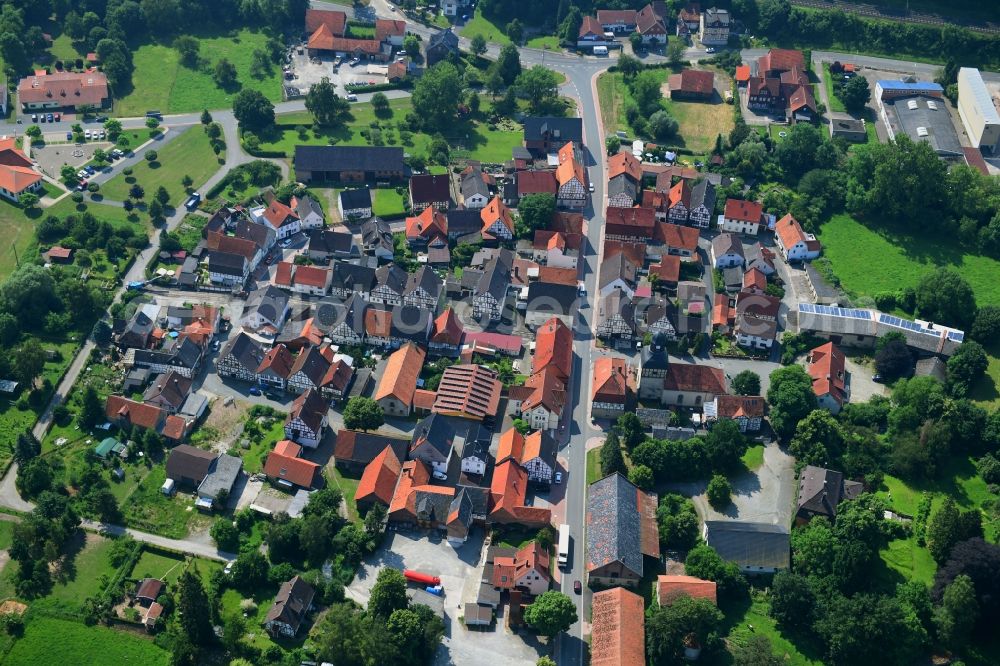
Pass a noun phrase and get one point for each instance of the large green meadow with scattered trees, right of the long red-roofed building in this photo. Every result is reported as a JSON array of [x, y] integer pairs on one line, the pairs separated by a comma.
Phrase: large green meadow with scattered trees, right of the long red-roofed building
[[161, 82]]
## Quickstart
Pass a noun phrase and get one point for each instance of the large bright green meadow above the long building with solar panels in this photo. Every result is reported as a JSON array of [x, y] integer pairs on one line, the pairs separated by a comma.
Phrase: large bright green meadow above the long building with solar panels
[[853, 250]]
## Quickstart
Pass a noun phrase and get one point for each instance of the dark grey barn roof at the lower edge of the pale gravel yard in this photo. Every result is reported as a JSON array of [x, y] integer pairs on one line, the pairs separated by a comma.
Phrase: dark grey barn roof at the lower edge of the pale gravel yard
[[749, 544]]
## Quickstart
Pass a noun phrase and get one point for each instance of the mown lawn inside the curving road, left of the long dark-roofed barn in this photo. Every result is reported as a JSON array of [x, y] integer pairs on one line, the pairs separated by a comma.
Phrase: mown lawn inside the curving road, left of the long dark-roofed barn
[[190, 154]]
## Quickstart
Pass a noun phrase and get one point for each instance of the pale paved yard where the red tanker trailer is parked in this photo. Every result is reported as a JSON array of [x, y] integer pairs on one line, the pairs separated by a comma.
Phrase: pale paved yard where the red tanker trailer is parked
[[460, 573]]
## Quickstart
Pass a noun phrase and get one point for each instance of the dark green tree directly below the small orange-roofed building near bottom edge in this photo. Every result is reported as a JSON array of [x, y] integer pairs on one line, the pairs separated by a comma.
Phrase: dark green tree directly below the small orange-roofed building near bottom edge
[[685, 621]]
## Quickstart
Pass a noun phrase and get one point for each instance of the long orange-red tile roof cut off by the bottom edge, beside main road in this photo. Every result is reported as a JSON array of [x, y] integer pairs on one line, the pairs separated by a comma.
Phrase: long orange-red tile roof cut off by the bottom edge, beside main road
[[618, 636]]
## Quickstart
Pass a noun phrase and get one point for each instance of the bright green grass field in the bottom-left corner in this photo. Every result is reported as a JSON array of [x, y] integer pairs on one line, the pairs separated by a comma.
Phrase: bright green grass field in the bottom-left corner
[[50, 641]]
